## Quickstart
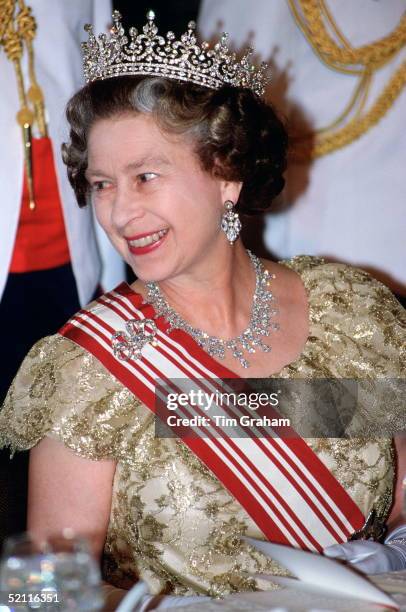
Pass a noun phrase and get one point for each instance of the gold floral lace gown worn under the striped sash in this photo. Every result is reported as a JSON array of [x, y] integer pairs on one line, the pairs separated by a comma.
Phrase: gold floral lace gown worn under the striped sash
[[172, 522]]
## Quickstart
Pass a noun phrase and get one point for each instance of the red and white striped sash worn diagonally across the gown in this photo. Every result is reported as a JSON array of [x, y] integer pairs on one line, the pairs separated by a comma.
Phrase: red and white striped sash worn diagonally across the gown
[[281, 483]]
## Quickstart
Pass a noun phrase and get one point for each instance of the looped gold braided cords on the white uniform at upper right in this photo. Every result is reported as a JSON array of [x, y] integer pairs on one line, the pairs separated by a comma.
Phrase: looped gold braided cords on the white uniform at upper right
[[312, 16]]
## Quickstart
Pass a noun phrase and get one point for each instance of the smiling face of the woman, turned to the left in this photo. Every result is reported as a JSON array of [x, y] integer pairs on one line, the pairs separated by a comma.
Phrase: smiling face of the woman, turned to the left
[[159, 208]]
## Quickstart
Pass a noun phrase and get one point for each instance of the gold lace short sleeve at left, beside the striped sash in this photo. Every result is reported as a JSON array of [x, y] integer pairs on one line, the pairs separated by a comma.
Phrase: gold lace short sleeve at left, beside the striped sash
[[63, 392]]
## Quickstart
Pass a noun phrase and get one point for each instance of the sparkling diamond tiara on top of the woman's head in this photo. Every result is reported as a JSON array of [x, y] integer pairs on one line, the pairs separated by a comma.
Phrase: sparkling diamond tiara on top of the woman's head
[[150, 54]]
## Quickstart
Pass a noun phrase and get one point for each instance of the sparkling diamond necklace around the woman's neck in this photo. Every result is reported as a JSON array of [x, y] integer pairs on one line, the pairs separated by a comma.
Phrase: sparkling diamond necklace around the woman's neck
[[251, 338]]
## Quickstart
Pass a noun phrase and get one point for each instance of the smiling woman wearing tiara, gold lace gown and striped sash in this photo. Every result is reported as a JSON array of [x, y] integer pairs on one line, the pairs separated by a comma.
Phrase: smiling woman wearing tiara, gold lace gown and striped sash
[[166, 162]]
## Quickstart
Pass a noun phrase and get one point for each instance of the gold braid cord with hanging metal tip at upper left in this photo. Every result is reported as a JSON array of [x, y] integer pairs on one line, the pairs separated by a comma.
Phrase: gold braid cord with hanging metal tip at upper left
[[17, 29]]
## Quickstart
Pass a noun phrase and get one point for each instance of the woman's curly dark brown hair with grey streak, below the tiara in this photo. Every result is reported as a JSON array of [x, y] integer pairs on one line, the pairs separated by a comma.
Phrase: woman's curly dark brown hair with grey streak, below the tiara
[[237, 136]]
